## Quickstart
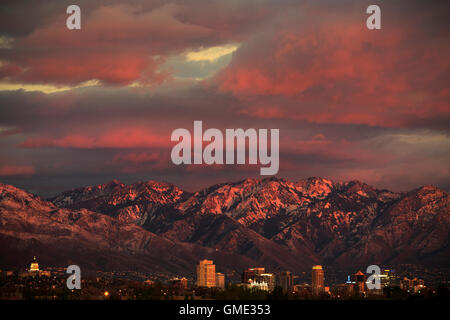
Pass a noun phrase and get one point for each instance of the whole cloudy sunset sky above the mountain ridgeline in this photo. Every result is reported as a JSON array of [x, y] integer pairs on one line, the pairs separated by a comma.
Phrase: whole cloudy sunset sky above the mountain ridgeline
[[83, 107]]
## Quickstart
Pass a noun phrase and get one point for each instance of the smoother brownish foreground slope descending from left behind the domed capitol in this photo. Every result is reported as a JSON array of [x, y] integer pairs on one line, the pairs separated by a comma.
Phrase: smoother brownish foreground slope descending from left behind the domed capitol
[[30, 226]]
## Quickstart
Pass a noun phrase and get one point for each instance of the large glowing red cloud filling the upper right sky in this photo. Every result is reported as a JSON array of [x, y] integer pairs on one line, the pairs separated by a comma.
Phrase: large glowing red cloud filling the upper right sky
[[334, 70]]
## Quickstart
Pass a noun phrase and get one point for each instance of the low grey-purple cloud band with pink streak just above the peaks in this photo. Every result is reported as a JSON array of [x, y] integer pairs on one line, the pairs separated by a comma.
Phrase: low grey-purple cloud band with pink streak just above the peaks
[[68, 135]]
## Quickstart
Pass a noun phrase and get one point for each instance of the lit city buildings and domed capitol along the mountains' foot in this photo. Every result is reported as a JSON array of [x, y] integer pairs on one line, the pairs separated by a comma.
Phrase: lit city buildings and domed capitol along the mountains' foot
[[356, 285]]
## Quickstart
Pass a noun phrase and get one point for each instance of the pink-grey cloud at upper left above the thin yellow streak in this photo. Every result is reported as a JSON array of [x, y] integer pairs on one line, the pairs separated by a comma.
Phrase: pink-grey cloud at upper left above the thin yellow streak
[[117, 44]]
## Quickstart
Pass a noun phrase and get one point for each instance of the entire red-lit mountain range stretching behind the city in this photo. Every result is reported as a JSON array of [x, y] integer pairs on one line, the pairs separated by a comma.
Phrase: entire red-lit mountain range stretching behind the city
[[276, 223]]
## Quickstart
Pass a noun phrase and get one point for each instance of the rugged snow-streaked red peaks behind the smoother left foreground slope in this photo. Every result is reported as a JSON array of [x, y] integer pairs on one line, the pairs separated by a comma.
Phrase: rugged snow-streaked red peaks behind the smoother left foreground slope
[[276, 221]]
